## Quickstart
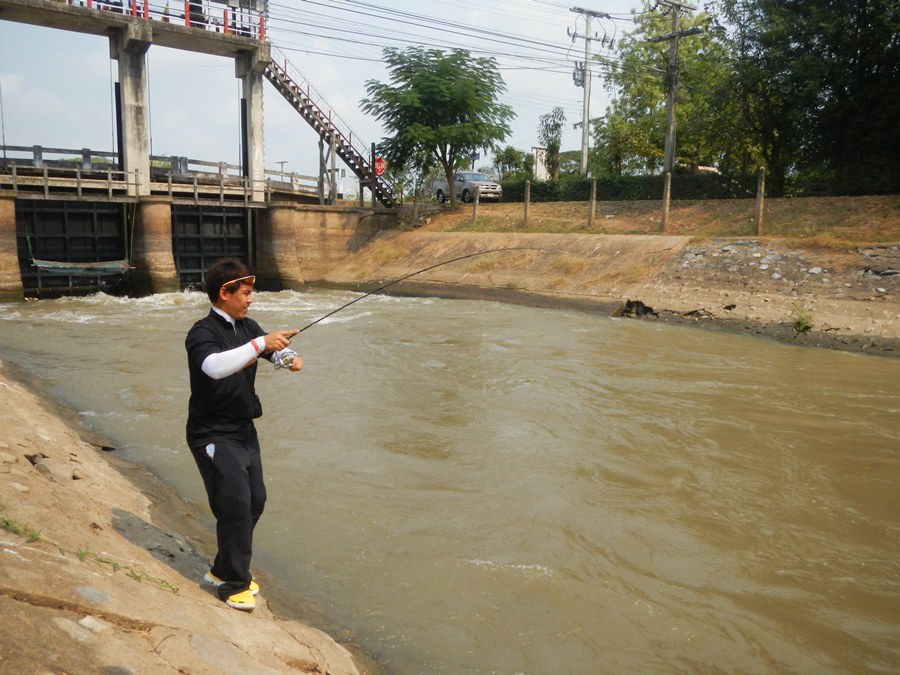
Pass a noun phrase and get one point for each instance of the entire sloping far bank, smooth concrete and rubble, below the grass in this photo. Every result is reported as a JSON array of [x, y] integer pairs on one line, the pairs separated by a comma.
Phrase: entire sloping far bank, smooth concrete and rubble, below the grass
[[847, 300]]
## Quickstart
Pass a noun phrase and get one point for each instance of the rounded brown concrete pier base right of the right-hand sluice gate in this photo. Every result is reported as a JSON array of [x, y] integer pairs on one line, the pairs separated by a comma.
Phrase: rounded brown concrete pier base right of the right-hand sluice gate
[[277, 259]]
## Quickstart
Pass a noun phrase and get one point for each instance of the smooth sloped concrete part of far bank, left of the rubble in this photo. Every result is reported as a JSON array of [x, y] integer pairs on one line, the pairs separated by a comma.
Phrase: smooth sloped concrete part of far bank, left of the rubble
[[546, 269]]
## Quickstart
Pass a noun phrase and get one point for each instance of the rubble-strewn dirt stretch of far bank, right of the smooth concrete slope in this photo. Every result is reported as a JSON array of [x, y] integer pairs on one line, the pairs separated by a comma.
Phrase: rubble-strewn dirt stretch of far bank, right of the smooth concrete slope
[[849, 302]]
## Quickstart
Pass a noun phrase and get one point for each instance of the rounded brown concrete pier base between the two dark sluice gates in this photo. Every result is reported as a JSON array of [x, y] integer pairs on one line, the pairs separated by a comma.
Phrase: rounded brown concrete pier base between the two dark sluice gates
[[152, 255]]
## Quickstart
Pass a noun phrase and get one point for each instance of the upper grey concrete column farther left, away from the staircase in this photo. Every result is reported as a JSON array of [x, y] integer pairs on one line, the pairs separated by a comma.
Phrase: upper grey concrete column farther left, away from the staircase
[[128, 47]]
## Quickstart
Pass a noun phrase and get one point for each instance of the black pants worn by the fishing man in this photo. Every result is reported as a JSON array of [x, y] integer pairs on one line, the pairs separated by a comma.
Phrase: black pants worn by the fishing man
[[237, 495]]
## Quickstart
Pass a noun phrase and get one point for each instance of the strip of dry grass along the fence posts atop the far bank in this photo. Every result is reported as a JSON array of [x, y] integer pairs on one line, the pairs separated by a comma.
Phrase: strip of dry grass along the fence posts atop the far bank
[[831, 223]]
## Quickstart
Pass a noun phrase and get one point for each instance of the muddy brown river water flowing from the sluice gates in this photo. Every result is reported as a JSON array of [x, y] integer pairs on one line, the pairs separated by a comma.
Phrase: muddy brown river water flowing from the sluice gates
[[474, 487]]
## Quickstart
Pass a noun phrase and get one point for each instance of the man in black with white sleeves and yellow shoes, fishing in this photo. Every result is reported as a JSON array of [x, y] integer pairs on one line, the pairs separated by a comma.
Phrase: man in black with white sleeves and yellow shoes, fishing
[[223, 349]]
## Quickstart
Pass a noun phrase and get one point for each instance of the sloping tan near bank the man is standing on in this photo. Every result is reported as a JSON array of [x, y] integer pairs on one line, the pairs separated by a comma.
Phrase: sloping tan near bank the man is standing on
[[90, 583]]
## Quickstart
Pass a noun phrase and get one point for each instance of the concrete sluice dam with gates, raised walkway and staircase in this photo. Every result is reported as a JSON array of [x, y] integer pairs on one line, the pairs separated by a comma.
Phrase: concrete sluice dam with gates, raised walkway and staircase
[[125, 222]]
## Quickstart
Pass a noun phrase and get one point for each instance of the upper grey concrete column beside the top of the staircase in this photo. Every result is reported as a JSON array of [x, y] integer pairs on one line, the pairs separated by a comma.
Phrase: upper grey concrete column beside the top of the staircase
[[249, 67]]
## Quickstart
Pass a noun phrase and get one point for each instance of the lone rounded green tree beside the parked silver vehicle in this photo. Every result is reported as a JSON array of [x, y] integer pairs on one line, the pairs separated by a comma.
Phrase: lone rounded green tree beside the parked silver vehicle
[[439, 107]]
